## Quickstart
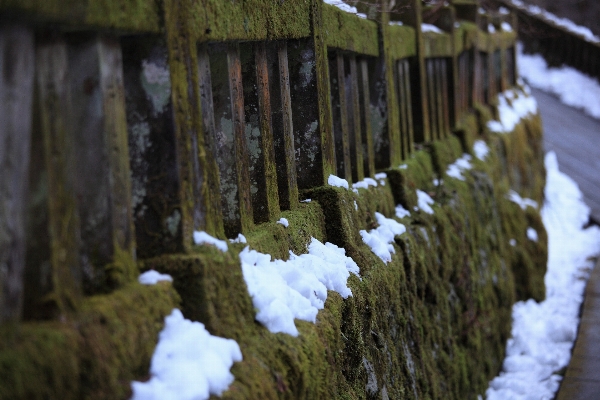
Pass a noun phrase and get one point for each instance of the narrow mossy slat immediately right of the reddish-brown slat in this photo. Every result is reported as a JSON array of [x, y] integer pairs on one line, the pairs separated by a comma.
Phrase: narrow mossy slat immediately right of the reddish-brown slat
[[266, 132]]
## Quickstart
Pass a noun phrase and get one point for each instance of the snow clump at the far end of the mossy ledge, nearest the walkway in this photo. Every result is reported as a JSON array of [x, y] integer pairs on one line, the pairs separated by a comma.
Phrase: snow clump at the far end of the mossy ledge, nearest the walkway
[[513, 105]]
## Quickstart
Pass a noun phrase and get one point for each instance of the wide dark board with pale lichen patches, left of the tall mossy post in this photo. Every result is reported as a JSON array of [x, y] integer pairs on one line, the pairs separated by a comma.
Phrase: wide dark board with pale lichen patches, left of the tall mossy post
[[155, 181]]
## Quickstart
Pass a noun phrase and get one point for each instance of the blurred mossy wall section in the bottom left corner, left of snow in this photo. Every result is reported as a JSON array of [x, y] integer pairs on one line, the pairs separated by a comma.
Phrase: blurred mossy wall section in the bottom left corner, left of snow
[[93, 355]]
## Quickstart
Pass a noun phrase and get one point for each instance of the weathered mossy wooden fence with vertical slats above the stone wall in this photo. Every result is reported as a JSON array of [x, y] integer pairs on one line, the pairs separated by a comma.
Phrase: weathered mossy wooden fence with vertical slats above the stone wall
[[125, 128]]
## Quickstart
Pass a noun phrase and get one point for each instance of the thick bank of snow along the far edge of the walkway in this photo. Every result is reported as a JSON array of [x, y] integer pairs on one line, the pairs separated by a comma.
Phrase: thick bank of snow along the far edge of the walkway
[[574, 88]]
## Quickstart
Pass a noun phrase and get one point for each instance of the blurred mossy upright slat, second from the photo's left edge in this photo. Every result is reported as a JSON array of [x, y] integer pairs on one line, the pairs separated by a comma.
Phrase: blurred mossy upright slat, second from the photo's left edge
[[53, 284]]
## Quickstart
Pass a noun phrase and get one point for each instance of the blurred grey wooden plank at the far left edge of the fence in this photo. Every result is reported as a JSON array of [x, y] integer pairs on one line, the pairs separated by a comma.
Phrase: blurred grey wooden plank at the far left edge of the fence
[[16, 93]]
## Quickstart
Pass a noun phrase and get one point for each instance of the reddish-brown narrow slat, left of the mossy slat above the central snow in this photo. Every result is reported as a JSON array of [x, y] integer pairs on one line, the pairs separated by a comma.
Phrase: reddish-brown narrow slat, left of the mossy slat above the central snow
[[239, 136]]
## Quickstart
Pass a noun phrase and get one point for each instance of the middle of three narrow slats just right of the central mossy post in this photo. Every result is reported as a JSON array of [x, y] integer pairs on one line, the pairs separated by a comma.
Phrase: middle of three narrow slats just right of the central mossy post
[[358, 172]]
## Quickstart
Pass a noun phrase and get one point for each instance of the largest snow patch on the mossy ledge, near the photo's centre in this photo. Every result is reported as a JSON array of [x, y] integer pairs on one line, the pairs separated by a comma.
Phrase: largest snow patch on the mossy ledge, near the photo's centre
[[284, 290]]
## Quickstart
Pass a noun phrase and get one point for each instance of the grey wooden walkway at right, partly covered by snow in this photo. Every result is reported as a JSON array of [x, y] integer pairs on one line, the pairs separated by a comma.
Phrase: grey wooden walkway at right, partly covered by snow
[[575, 138]]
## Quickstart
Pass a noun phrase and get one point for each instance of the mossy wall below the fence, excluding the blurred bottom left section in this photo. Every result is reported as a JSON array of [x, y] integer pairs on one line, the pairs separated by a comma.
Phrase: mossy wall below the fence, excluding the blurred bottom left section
[[433, 323]]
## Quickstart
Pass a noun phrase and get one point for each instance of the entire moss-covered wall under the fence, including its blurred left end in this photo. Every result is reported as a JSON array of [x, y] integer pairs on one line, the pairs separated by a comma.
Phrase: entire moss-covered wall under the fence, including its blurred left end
[[431, 324]]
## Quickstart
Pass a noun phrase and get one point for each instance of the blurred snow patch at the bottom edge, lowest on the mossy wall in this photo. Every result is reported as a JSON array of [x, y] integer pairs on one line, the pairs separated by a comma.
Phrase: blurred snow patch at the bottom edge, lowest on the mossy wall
[[188, 363]]
